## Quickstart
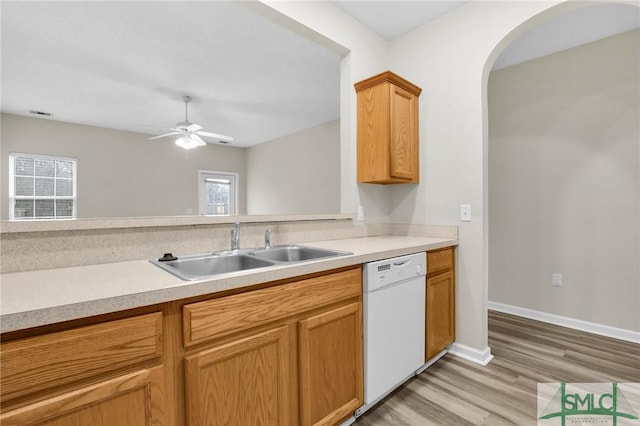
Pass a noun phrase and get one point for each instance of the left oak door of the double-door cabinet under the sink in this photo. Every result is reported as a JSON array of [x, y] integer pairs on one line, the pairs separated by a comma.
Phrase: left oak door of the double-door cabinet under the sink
[[244, 382]]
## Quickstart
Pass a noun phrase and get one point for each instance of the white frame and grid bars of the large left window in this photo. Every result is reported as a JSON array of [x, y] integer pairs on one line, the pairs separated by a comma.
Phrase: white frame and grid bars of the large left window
[[12, 187]]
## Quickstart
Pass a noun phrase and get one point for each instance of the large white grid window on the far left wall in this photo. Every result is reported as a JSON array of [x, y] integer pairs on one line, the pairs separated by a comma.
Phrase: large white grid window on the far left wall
[[42, 187]]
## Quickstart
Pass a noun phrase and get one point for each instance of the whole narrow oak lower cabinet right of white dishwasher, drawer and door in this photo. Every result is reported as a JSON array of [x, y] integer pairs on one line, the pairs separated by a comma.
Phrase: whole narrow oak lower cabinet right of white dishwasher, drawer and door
[[440, 301]]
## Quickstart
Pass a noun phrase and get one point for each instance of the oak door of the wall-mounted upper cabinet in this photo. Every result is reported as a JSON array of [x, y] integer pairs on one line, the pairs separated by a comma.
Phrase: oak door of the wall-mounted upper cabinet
[[403, 145]]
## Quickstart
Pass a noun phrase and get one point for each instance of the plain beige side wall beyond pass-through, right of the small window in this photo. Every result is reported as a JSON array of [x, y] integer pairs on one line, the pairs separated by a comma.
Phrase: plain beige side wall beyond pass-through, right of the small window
[[299, 173]]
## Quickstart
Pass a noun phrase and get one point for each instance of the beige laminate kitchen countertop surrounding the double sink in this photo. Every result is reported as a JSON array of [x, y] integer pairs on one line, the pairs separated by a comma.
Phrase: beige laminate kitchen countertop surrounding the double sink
[[36, 298]]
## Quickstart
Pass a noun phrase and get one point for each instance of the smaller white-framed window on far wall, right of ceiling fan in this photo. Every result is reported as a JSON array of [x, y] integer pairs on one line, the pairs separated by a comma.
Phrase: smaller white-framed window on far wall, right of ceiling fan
[[218, 192]]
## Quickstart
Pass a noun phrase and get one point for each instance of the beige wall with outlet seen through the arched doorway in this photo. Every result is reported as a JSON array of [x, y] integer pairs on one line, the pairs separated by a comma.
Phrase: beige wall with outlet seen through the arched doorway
[[564, 183]]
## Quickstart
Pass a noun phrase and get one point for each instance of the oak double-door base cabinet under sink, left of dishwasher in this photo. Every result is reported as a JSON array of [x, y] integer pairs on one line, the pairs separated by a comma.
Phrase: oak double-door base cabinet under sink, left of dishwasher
[[284, 355]]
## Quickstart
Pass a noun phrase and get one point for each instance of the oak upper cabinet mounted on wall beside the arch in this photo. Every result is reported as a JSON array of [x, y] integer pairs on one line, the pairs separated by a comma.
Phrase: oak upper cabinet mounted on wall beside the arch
[[388, 138]]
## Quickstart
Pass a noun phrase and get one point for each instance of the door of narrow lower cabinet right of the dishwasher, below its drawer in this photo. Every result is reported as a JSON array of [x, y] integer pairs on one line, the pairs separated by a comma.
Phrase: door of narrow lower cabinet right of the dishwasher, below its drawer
[[440, 315]]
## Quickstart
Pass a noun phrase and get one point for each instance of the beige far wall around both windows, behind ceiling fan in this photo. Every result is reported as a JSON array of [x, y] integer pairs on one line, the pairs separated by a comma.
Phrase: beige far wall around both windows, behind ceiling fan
[[110, 180]]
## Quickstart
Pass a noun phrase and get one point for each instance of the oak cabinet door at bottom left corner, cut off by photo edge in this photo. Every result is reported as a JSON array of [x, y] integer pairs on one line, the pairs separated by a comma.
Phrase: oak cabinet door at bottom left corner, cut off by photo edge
[[135, 399]]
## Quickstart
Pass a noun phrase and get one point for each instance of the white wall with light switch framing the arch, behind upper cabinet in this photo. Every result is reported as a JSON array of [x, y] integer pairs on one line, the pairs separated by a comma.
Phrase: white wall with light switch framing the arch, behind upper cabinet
[[450, 58]]
